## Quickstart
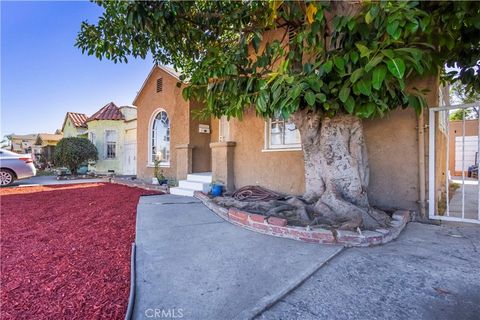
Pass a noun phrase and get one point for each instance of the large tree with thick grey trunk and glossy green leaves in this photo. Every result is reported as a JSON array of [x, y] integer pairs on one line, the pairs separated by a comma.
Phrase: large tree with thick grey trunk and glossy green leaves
[[330, 65]]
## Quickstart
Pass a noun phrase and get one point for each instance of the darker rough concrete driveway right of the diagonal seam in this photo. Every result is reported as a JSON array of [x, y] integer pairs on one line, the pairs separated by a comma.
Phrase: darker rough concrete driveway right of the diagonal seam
[[429, 272]]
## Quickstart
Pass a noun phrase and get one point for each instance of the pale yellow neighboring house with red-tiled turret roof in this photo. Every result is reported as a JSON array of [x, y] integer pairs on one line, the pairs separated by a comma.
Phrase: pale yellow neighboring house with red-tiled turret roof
[[113, 130]]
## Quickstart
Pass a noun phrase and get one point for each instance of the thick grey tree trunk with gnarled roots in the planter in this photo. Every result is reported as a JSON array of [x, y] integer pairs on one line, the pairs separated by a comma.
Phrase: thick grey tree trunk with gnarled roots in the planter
[[336, 170]]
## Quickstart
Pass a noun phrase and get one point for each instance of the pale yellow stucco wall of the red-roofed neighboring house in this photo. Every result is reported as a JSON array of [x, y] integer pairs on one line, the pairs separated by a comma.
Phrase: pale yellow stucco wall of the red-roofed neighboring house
[[98, 127]]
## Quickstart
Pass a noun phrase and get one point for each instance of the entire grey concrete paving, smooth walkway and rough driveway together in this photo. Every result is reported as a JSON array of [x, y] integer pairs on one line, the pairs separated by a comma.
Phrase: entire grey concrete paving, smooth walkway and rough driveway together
[[193, 265]]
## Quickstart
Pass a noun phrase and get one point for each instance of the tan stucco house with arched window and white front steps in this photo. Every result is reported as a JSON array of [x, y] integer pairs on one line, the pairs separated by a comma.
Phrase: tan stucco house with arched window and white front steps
[[267, 153]]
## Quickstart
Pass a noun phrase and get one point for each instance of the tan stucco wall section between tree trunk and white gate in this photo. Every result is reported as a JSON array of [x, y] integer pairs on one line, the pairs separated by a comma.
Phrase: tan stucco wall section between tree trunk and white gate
[[392, 148]]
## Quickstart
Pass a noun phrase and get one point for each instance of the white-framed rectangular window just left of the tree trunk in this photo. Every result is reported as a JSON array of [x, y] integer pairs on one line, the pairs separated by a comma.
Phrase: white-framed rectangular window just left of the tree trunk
[[282, 134]]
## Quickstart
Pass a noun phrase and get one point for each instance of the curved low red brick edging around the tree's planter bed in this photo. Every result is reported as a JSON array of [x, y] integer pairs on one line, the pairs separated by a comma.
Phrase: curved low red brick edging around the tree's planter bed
[[278, 227]]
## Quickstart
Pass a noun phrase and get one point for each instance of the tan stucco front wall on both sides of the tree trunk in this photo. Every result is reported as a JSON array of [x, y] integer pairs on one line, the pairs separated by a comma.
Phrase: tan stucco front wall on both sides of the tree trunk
[[392, 150]]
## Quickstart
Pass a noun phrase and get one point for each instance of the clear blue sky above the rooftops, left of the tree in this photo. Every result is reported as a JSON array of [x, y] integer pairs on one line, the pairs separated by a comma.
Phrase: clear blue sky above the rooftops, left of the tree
[[43, 76]]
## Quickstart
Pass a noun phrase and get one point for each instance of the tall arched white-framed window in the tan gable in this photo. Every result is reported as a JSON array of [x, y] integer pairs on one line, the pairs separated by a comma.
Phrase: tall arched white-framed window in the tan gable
[[160, 138]]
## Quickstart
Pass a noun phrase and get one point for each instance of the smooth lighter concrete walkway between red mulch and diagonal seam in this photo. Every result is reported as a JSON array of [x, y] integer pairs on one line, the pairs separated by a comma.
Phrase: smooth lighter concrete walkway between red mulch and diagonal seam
[[191, 264]]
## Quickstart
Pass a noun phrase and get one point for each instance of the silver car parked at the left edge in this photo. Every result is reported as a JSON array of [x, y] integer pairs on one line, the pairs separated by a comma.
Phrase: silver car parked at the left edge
[[14, 166]]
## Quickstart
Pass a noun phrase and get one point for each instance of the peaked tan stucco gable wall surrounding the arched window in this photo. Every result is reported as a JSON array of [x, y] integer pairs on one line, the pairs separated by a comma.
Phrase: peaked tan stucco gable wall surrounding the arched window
[[147, 103]]
